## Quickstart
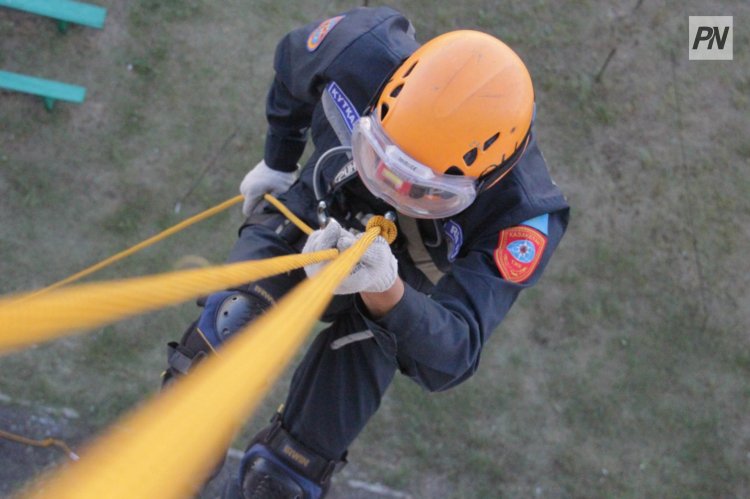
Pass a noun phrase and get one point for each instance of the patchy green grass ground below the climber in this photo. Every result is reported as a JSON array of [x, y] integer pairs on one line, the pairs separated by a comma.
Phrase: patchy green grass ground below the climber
[[623, 374]]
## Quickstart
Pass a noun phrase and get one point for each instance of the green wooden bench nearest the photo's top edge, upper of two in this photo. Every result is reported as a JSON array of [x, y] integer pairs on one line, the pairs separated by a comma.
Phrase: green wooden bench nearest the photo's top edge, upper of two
[[63, 11]]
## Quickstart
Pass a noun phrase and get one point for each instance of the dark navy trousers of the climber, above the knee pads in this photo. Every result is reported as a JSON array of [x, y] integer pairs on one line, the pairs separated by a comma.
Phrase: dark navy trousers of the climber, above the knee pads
[[338, 385]]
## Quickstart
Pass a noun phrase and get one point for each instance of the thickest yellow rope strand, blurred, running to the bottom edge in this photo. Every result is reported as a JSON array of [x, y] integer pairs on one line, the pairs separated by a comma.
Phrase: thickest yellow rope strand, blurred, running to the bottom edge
[[167, 448]]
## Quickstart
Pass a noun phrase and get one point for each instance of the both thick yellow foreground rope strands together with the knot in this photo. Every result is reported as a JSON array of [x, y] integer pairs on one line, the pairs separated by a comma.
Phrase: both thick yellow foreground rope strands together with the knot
[[150, 454]]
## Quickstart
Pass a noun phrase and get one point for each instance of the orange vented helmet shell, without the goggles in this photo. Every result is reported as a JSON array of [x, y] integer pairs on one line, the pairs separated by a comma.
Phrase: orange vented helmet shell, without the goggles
[[462, 104]]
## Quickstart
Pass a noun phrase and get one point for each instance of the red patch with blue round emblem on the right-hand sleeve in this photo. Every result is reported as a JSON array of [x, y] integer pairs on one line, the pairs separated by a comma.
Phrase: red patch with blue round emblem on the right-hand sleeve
[[519, 250]]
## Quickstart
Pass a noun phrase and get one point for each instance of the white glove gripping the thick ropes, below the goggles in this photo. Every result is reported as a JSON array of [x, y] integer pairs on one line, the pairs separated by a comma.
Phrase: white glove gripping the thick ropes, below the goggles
[[375, 272]]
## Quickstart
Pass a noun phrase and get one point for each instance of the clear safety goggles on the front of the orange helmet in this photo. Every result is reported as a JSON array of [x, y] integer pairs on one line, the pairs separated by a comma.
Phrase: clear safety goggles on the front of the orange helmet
[[412, 188]]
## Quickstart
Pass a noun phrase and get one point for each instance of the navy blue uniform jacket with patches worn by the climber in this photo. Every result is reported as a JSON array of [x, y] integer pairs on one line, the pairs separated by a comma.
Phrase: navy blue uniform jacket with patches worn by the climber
[[435, 333]]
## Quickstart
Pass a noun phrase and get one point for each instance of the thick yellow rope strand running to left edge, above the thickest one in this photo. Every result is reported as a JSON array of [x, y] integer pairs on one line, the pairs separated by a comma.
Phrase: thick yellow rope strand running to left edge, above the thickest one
[[24, 321]]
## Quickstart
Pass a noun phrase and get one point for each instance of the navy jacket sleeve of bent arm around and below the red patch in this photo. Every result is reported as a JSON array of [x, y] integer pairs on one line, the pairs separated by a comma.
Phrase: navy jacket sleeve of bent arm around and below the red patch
[[437, 339]]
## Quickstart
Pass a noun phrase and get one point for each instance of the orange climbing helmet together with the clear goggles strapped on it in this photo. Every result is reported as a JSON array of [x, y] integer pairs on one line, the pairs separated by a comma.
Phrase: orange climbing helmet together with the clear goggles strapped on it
[[447, 124]]
